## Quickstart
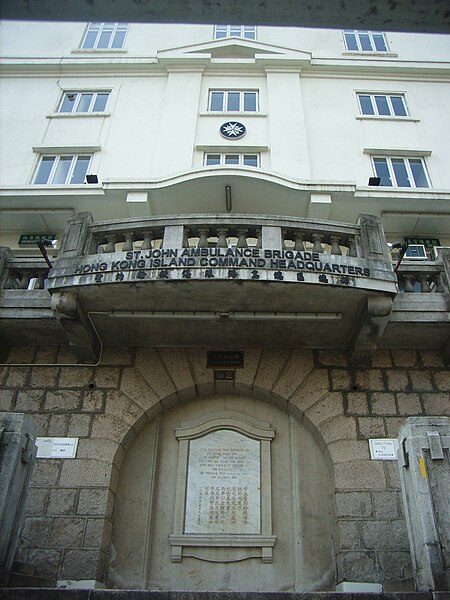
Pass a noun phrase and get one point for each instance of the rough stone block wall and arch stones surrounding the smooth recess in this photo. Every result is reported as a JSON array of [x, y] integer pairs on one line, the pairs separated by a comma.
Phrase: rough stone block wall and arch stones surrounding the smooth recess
[[68, 521]]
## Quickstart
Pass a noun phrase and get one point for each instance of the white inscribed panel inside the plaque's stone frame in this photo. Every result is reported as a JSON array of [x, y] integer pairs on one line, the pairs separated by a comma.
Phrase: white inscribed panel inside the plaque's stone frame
[[224, 484]]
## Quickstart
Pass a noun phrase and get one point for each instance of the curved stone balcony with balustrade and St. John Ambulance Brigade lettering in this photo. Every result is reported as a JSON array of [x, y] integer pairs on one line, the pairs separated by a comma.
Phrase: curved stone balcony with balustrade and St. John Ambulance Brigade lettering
[[226, 281]]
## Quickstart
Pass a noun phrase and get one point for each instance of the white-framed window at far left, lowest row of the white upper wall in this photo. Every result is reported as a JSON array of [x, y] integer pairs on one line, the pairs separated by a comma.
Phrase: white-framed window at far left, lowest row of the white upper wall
[[62, 169]]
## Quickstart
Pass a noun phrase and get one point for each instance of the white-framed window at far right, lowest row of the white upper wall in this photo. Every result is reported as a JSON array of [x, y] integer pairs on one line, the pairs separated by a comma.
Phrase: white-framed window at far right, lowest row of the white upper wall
[[401, 172]]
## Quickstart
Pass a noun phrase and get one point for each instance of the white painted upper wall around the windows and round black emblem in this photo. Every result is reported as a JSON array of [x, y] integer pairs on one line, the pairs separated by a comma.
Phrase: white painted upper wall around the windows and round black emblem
[[157, 124]]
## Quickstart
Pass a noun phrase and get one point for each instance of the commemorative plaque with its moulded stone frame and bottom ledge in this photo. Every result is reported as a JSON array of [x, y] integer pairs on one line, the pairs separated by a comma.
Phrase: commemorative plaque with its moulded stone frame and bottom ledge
[[223, 494]]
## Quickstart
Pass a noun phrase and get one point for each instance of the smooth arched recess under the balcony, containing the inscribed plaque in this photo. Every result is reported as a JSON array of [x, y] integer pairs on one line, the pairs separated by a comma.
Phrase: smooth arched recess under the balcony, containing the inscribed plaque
[[224, 493]]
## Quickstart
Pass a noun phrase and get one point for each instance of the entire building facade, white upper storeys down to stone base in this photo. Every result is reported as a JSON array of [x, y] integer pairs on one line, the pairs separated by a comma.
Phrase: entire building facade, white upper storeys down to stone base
[[223, 326]]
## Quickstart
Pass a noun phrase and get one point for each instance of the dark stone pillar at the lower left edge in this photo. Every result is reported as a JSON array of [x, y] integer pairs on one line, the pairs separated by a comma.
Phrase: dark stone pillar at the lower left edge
[[17, 454]]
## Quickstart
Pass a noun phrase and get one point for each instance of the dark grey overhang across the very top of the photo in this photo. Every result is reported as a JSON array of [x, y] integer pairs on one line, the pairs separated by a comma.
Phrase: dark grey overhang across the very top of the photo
[[431, 16]]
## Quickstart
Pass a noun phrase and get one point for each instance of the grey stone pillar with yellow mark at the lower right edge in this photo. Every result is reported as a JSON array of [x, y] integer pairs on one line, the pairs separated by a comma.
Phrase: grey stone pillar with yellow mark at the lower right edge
[[424, 463]]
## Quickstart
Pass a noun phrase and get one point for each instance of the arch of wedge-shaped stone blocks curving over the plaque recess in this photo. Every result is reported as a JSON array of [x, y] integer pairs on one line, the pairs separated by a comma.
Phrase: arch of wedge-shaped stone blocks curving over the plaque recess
[[161, 379]]
